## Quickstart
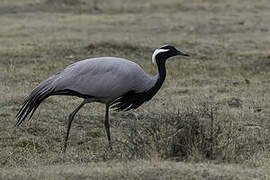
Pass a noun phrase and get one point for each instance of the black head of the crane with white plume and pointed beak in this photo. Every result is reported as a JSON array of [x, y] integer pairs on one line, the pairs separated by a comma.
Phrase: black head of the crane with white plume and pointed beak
[[164, 52]]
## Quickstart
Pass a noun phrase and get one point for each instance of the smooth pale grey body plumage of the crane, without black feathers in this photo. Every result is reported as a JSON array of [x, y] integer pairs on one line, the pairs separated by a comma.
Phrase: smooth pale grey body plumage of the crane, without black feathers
[[94, 77]]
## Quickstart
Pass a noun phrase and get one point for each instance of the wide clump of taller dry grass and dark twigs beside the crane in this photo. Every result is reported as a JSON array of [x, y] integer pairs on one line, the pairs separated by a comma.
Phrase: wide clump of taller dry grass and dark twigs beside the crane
[[196, 133]]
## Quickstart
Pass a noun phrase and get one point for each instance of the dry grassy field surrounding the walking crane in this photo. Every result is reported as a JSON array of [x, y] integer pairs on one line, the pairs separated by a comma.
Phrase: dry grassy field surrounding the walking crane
[[210, 120]]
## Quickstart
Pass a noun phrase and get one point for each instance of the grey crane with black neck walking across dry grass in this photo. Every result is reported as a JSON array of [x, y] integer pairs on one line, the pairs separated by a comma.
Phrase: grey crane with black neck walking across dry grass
[[118, 83]]
